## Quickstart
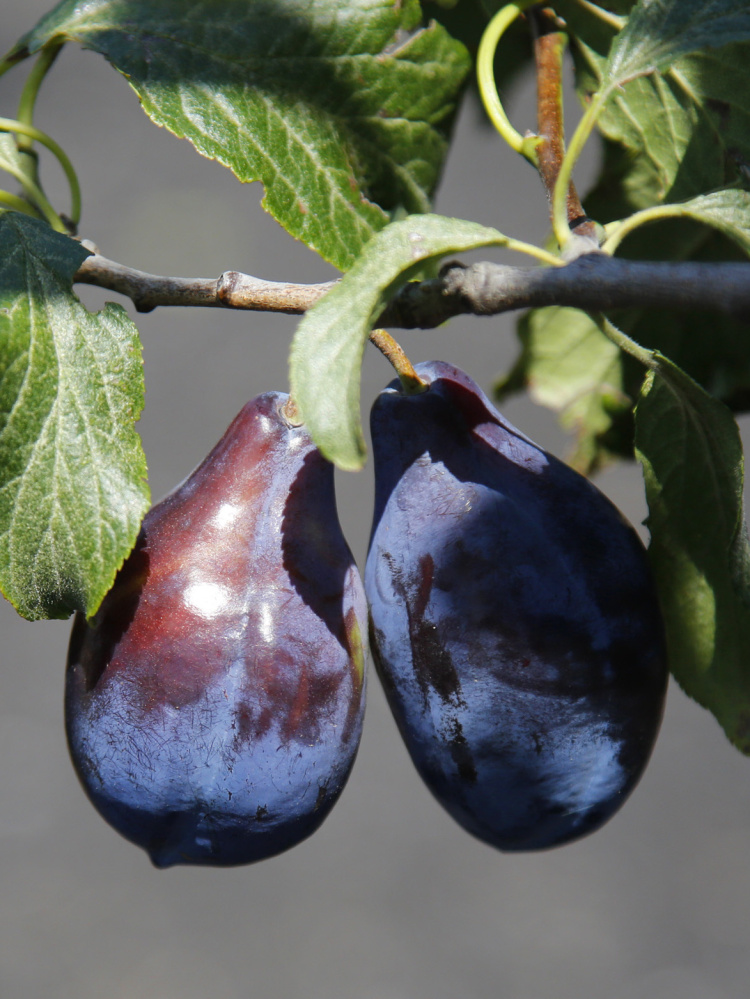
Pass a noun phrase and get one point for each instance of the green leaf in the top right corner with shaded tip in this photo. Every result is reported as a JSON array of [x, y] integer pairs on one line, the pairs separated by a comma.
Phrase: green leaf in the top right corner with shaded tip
[[660, 31]]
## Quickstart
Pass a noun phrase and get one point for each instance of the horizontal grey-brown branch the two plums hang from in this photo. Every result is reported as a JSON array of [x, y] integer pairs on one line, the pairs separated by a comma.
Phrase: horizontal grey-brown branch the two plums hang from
[[593, 282]]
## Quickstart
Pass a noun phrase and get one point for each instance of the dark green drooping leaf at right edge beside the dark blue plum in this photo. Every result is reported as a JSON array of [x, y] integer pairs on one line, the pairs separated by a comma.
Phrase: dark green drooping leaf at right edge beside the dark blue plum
[[691, 453]]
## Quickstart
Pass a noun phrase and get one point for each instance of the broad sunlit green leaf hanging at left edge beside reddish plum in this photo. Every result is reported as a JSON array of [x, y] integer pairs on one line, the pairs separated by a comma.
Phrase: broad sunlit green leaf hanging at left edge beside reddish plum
[[72, 471]]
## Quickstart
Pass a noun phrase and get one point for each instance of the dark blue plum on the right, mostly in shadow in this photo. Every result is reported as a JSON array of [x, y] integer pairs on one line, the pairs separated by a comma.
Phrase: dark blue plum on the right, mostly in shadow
[[514, 622]]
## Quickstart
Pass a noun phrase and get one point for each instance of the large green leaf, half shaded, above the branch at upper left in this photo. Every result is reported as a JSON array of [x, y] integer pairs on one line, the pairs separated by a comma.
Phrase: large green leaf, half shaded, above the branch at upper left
[[341, 108]]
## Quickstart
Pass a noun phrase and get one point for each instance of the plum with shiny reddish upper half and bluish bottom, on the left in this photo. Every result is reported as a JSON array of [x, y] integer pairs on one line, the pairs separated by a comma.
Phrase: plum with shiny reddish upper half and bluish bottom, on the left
[[214, 704]]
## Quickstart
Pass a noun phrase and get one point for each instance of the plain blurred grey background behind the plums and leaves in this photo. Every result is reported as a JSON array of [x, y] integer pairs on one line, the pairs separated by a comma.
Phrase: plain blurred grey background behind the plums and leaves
[[391, 899]]
